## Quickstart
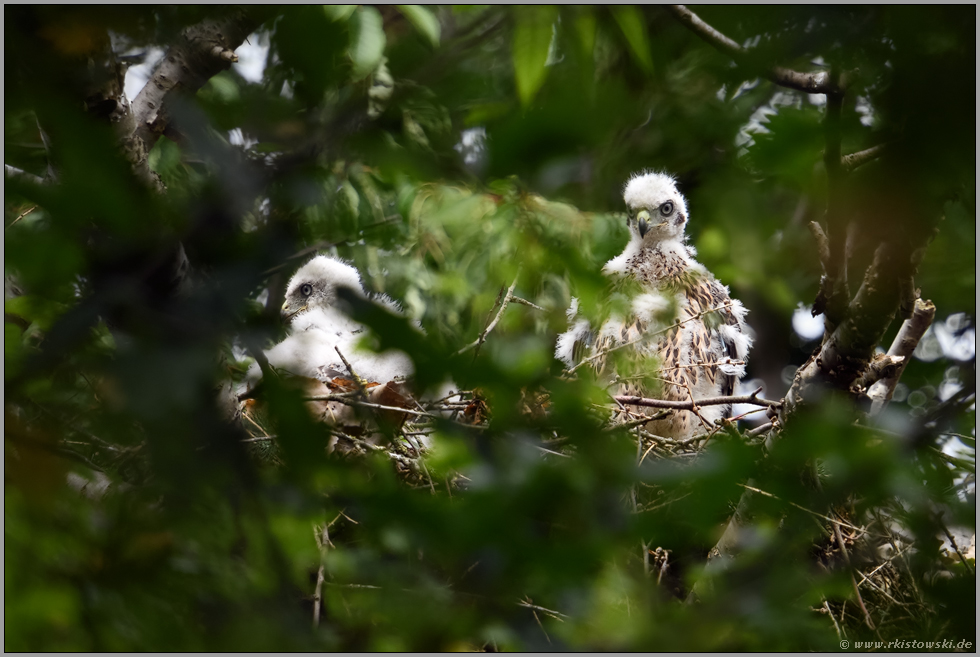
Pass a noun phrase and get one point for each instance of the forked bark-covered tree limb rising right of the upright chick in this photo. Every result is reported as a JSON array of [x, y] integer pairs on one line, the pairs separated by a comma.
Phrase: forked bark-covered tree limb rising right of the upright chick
[[854, 326]]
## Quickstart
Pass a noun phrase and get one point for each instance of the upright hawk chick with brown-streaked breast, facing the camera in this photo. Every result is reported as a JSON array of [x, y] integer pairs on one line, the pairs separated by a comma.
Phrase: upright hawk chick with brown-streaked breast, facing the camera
[[682, 316]]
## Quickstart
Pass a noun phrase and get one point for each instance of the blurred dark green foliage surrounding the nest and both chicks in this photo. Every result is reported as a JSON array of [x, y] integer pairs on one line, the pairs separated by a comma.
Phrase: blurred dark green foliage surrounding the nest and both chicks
[[497, 154]]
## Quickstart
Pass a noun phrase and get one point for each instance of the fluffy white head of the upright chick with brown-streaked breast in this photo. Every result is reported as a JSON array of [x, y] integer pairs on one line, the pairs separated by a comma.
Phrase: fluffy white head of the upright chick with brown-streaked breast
[[656, 210]]
